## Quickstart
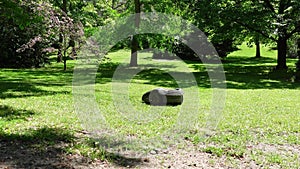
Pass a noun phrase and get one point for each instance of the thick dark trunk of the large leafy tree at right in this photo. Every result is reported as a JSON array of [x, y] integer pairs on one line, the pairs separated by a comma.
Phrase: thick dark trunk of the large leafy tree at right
[[282, 51]]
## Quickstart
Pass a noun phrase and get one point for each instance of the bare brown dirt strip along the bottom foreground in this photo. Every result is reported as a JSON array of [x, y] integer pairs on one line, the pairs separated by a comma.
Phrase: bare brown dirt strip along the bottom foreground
[[17, 155]]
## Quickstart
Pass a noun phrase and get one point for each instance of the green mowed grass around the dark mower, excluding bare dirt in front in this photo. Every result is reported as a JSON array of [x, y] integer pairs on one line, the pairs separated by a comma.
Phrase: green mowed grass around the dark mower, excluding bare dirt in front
[[260, 122]]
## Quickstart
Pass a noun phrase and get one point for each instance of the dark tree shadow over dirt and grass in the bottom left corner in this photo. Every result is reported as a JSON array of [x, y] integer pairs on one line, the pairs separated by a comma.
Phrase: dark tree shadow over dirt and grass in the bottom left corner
[[46, 148]]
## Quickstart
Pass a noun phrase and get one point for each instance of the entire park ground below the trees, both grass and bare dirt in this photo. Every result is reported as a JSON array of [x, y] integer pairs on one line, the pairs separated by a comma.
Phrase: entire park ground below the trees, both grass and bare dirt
[[259, 126]]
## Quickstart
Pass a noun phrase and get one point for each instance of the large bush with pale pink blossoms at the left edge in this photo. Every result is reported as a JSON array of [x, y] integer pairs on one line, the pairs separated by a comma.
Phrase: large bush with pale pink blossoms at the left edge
[[28, 29]]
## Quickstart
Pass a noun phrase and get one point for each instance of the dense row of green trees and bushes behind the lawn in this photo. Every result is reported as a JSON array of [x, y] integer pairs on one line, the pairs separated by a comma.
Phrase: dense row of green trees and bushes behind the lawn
[[31, 30]]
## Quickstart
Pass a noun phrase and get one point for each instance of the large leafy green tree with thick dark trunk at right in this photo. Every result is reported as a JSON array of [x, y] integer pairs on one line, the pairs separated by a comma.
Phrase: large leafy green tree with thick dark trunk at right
[[276, 20]]
